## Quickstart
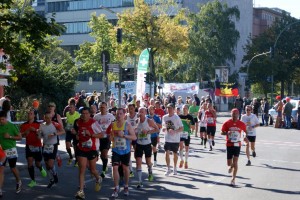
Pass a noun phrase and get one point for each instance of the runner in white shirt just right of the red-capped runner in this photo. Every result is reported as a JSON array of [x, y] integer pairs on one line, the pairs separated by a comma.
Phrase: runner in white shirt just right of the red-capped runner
[[252, 123]]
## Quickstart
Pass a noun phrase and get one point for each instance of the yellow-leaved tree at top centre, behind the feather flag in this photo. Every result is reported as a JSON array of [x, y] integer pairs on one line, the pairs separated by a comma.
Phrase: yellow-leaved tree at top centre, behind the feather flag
[[154, 28]]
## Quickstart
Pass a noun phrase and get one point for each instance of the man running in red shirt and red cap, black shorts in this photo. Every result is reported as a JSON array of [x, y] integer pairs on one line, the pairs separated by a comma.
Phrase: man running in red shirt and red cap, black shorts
[[233, 128]]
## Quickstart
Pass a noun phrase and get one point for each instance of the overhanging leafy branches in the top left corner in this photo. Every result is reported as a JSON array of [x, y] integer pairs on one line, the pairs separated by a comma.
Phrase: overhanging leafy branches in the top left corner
[[23, 32]]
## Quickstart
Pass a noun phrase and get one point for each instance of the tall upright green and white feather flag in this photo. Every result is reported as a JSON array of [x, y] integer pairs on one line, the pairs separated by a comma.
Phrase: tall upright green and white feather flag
[[143, 66]]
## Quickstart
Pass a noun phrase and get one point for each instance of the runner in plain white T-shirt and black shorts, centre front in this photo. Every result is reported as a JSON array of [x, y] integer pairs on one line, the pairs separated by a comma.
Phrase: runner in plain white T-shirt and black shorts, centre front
[[172, 127]]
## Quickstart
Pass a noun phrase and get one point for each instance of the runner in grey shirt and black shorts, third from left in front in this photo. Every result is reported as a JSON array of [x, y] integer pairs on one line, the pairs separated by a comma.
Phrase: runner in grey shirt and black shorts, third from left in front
[[50, 131]]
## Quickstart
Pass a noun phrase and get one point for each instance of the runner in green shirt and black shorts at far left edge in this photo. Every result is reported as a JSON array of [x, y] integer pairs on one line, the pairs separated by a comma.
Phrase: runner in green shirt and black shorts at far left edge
[[9, 133]]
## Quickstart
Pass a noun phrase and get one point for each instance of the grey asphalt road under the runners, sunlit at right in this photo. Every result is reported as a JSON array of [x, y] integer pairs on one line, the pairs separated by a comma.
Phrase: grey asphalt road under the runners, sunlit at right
[[274, 174]]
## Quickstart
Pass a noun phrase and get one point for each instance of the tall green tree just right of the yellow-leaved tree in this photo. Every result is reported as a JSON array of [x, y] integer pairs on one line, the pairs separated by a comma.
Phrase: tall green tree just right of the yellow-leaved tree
[[213, 38]]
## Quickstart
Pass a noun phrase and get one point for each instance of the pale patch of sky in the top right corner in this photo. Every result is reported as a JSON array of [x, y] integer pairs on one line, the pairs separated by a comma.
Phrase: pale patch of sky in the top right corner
[[291, 6]]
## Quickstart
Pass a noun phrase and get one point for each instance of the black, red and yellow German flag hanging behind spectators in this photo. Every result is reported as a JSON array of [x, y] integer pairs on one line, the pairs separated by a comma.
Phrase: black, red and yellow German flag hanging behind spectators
[[226, 89]]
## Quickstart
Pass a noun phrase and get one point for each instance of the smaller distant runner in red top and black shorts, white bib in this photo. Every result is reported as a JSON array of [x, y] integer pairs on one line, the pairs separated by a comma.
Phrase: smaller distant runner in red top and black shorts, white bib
[[211, 119]]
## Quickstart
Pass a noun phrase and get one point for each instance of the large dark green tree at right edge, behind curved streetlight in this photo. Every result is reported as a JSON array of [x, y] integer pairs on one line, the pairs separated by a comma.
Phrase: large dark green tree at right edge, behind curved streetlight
[[286, 63]]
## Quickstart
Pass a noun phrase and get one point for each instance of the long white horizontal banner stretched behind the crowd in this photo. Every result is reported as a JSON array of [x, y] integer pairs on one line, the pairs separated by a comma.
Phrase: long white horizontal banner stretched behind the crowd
[[181, 87]]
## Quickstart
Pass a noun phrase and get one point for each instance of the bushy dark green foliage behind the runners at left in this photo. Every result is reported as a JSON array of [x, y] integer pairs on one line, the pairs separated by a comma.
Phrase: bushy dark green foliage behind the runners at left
[[51, 79]]
